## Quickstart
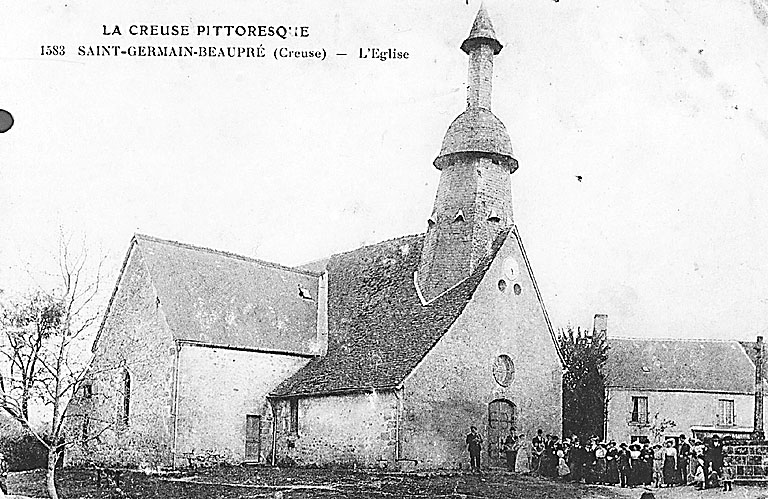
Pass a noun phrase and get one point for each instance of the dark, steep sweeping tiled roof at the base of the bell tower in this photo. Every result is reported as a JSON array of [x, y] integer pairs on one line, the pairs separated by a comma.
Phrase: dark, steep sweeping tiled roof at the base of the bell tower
[[377, 327]]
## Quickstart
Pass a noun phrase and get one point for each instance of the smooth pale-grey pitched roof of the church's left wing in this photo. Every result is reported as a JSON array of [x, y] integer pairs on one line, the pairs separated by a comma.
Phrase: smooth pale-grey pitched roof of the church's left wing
[[219, 298]]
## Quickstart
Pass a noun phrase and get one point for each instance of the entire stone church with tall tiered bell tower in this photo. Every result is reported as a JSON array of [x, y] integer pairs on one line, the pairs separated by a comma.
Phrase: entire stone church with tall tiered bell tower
[[378, 357]]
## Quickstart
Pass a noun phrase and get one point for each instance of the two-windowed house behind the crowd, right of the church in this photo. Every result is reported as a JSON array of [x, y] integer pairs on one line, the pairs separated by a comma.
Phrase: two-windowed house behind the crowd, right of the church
[[704, 387]]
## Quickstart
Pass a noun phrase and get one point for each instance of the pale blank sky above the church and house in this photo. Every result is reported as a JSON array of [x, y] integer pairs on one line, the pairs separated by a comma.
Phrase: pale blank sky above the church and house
[[661, 107]]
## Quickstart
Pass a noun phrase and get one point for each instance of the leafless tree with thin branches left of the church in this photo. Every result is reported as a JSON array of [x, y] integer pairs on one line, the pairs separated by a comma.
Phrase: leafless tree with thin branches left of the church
[[48, 352]]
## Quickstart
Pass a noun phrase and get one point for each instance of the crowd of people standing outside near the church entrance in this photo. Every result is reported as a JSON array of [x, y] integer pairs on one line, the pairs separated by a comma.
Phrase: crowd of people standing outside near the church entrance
[[679, 461]]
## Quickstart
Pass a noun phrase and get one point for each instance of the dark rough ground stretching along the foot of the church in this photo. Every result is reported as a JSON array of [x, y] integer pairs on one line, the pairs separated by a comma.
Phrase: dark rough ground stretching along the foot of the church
[[237, 483]]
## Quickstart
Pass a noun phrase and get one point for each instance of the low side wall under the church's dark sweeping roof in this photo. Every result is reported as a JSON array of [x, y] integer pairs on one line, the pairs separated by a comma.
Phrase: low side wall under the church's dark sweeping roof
[[347, 430]]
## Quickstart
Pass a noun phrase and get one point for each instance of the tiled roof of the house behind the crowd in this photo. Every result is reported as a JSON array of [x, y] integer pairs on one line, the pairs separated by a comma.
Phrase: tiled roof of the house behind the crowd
[[679, 365]]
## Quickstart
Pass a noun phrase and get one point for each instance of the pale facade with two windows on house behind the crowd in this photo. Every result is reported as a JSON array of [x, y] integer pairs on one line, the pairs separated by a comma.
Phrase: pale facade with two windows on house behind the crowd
[[686, 409]]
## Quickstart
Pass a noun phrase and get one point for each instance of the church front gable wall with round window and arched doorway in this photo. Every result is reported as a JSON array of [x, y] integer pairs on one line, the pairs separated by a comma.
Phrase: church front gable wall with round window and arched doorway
[[452, 387]]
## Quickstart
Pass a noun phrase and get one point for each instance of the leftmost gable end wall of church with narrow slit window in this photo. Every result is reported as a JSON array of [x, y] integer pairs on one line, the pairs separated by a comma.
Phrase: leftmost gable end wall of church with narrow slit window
[[135, 335]]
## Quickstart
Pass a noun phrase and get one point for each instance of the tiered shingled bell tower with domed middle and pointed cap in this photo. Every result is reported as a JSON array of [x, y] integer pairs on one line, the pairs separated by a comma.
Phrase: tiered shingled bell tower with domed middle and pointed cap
[[474, 196]]
